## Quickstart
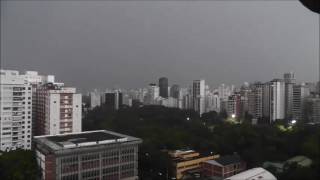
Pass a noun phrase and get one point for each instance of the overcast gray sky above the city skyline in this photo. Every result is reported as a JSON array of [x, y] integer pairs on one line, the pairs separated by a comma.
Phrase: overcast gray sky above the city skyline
[[130, 44]]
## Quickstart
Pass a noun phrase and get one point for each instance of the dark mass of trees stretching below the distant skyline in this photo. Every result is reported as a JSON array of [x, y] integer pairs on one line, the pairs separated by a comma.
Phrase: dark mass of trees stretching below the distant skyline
[[164, 129]]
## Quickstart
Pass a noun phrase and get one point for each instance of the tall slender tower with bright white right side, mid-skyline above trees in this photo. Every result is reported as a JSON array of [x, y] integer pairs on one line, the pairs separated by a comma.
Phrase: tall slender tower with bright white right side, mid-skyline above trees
[[198, 95]]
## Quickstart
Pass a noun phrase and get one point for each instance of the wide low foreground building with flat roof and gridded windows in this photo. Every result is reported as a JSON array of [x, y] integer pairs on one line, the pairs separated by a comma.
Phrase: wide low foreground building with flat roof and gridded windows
[[102, 155]]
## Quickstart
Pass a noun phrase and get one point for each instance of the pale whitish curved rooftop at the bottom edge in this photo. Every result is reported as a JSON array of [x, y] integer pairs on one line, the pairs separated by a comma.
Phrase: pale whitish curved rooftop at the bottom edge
[[253, 174]]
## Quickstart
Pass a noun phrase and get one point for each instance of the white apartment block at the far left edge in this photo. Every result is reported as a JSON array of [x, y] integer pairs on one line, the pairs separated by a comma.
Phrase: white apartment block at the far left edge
[[15, 111]]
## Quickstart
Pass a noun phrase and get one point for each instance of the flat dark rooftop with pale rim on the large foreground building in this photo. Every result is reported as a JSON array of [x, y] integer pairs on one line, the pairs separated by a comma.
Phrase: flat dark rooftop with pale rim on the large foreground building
[[82, 139]]
